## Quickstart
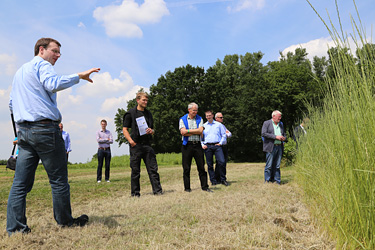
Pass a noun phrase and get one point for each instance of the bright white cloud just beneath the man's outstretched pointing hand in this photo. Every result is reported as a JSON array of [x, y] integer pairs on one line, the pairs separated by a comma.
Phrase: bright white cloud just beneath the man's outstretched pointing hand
[[103, 85]]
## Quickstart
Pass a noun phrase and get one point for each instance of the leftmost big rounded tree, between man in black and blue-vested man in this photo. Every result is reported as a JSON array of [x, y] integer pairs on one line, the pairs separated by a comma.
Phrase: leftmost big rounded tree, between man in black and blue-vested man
[[170, 98]]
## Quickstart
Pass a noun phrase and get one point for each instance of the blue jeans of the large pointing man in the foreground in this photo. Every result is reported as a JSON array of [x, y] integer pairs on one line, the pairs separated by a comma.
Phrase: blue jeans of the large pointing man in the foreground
[[39, 142]]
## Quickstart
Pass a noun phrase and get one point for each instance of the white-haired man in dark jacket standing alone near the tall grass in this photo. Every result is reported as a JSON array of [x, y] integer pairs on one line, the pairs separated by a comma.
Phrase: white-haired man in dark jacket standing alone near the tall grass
[[274, 135]]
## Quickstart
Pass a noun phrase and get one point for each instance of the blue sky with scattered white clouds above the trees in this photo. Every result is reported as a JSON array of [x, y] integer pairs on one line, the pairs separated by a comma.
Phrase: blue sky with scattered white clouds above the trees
[[134, 42]]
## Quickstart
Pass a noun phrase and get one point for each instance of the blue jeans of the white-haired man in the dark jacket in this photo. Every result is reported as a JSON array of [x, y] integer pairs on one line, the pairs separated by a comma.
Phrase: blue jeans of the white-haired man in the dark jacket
[[272, 169]]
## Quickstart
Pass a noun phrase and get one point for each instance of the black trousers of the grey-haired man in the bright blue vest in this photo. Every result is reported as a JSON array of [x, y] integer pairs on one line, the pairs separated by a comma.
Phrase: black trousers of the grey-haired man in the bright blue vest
[[188, 152]]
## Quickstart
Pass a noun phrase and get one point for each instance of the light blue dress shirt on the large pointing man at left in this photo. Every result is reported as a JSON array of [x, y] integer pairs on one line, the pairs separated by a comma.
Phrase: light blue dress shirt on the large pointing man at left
[[33, 96]]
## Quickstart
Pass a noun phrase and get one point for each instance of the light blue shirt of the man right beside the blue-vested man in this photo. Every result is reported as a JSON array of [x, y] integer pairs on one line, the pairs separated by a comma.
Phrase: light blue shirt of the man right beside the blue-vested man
[[214, 133]]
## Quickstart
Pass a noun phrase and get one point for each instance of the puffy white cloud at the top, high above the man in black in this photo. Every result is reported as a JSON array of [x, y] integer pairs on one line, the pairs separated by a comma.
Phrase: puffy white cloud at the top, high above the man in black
[[124, 20]]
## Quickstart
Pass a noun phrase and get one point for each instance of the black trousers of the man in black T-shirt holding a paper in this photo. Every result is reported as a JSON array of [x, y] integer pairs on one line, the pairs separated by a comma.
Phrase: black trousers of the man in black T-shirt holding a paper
[[145, 152]]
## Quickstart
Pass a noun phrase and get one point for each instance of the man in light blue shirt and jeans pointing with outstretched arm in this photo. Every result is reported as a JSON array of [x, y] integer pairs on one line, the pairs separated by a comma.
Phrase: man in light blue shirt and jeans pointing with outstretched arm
[[33, 104]]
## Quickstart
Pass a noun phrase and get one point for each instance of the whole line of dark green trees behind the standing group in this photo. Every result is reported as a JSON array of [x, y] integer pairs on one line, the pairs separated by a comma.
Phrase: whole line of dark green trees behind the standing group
[[244, 90]]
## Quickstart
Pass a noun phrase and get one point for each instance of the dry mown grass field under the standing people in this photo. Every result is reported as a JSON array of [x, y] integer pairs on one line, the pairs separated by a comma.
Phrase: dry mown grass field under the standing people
[[248, 214]]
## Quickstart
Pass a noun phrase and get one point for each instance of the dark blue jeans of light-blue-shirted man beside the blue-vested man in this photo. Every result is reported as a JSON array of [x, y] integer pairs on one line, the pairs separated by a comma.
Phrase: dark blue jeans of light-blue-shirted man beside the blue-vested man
[[217, 175]]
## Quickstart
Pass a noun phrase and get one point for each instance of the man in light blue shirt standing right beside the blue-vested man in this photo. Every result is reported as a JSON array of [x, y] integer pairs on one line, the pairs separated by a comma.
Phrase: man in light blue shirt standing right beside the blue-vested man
[[214, 137]]
